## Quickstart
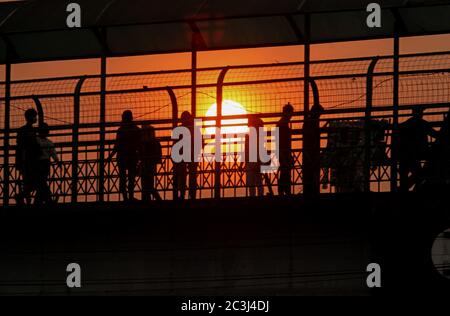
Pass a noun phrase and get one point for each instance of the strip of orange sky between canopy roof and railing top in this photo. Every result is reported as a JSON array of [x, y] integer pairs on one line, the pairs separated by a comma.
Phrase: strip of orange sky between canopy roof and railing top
[[232, 57]]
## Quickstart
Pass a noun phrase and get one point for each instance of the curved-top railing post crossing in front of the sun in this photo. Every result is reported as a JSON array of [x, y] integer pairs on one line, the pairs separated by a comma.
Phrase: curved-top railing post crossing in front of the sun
[[218, 135]]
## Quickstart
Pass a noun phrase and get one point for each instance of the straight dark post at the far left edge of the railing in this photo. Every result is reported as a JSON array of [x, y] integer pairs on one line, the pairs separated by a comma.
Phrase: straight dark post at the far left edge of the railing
[[7, 126]]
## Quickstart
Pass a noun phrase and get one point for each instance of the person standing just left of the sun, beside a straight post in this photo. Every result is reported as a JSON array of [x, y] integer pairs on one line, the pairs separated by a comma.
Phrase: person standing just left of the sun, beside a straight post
[[182, 169]]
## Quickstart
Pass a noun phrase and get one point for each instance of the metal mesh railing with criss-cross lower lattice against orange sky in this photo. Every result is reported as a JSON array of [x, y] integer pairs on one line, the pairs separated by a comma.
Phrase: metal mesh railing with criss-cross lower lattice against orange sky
[[358, 91]]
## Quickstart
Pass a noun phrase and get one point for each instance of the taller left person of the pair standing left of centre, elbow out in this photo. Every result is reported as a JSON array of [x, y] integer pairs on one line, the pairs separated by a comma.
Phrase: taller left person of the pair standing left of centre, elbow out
[[127, 145]]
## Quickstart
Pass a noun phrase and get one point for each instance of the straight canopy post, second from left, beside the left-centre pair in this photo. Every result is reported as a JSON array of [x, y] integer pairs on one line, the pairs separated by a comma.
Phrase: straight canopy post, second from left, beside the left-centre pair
[[101, 168]]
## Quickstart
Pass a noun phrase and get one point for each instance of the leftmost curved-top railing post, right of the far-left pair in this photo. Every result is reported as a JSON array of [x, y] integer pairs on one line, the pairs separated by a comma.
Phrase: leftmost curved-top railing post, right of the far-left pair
[[75, 138]]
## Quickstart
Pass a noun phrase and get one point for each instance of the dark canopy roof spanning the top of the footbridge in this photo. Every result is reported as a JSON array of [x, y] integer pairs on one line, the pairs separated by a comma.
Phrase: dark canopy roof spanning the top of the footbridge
[[37, 31]]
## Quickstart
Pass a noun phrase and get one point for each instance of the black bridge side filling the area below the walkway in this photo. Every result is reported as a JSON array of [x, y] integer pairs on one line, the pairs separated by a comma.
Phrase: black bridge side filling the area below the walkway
[[267, 246]]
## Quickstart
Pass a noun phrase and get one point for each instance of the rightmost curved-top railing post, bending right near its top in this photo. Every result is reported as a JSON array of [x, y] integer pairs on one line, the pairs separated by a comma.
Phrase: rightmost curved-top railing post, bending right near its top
[[367, 123]]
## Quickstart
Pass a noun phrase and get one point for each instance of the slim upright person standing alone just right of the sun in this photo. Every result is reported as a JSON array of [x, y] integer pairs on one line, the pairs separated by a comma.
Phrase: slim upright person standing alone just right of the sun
[[285, 151]]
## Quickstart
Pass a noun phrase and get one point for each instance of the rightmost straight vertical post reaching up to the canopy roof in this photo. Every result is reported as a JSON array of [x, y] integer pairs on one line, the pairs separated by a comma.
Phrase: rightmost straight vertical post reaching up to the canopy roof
[[394, 143]]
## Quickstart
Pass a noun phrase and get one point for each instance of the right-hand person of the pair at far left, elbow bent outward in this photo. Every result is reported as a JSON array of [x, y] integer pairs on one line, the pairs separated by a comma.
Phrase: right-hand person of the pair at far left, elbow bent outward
[[48, 152]]
